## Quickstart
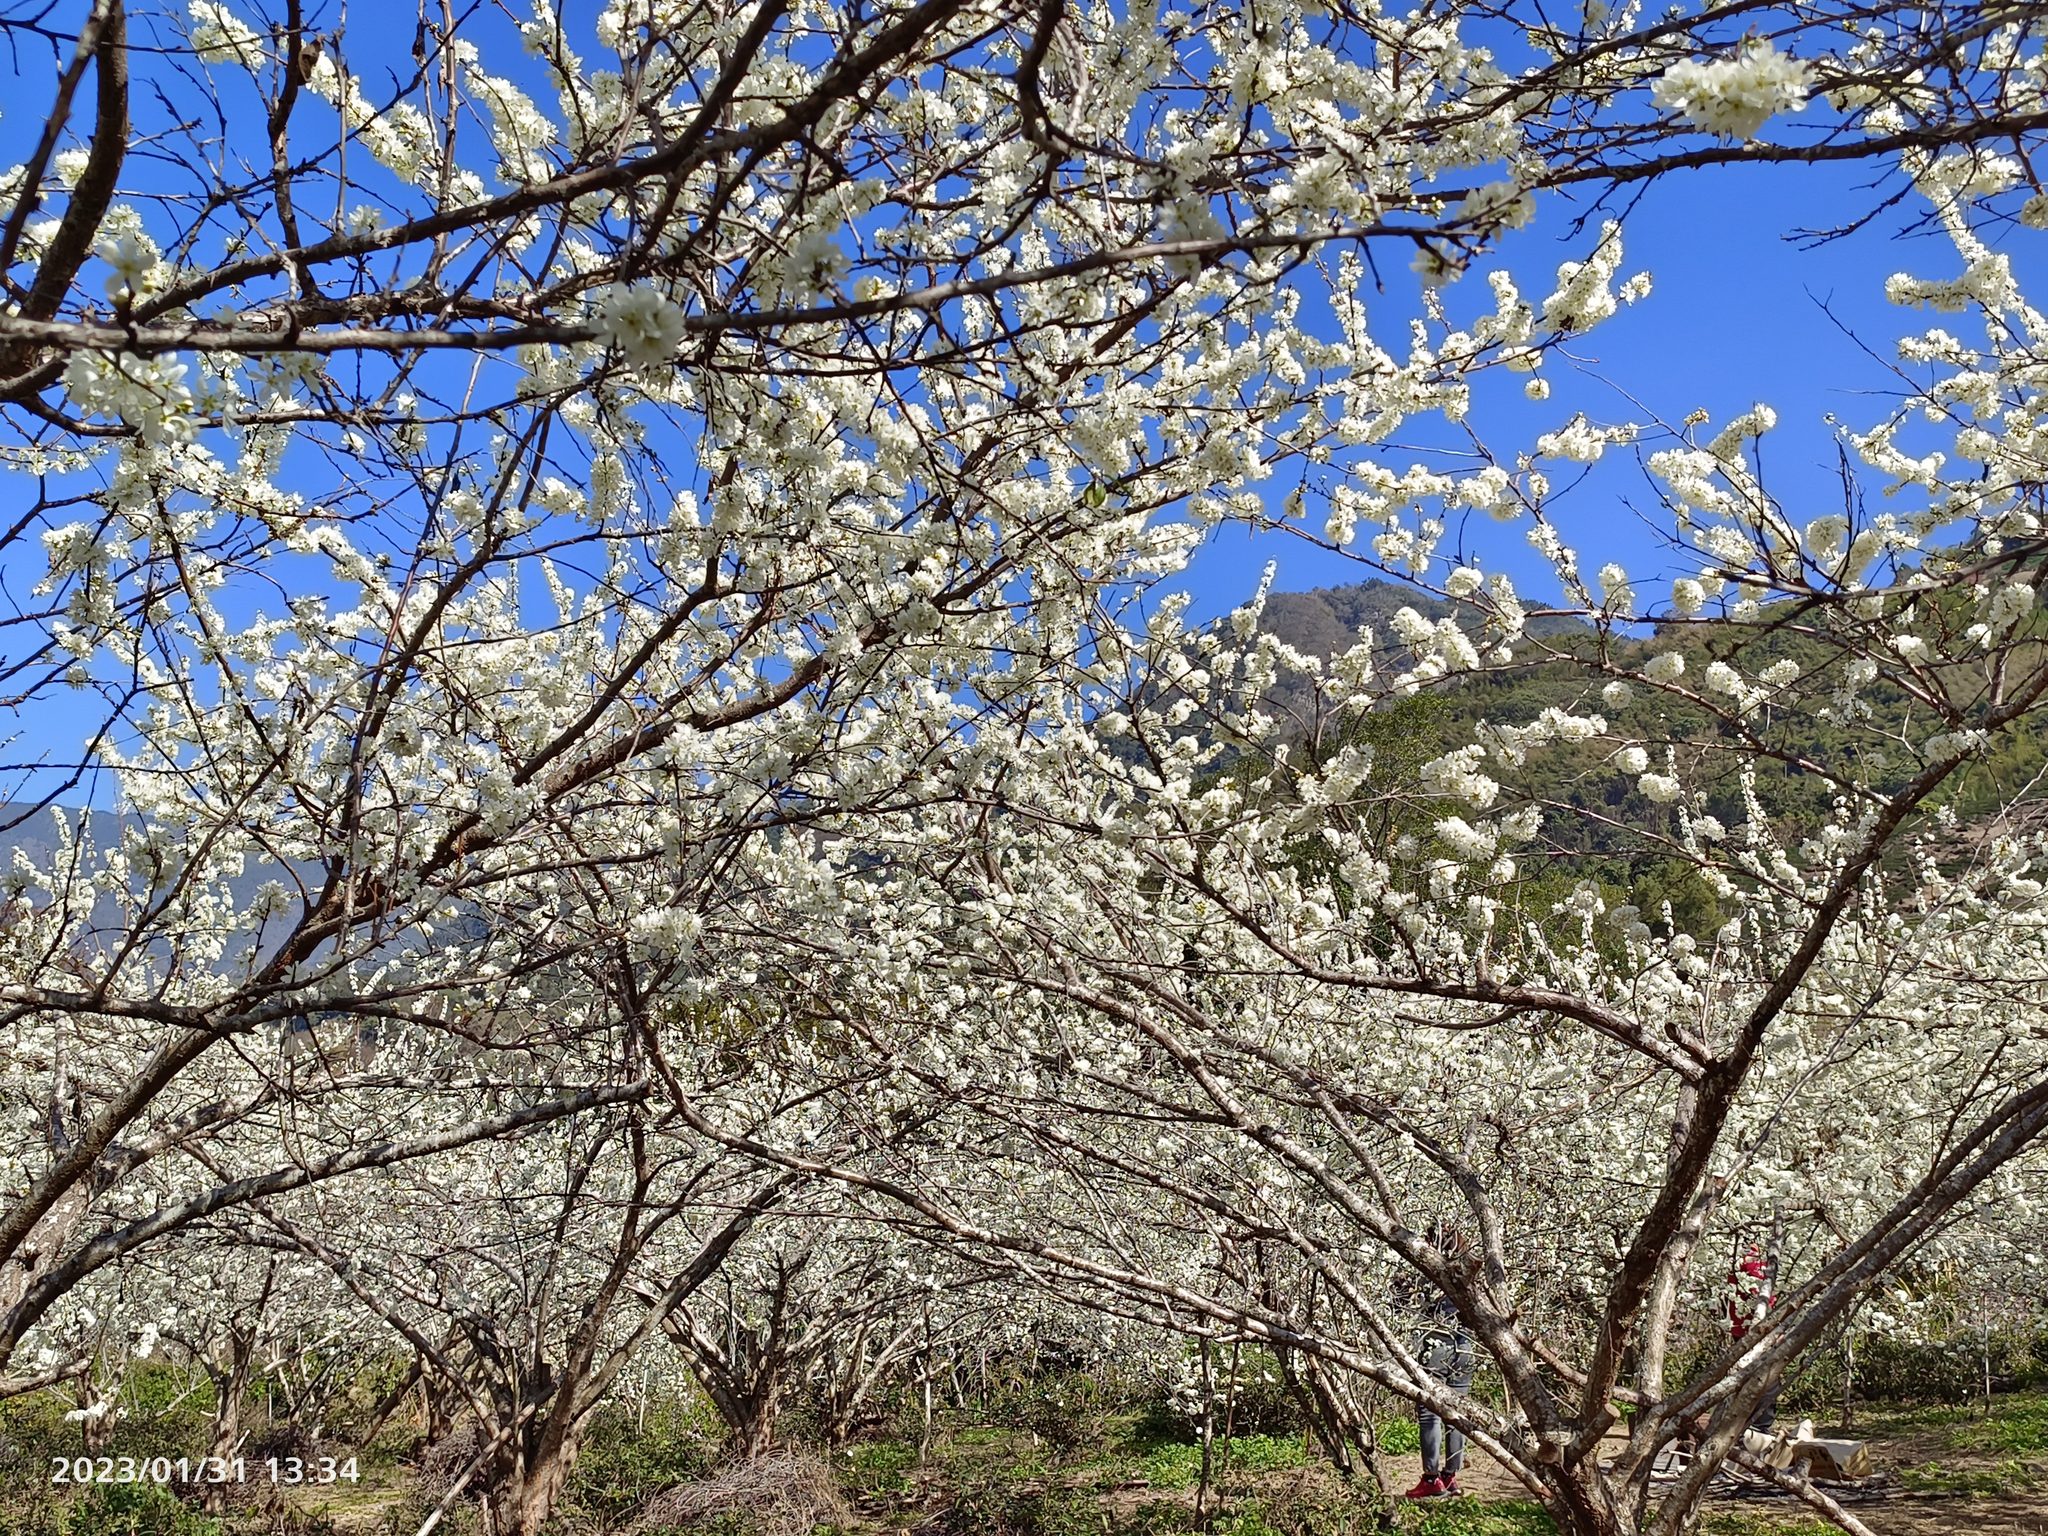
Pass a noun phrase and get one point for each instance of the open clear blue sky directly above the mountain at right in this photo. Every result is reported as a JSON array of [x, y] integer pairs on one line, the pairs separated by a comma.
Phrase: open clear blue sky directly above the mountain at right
[[1736, 318]]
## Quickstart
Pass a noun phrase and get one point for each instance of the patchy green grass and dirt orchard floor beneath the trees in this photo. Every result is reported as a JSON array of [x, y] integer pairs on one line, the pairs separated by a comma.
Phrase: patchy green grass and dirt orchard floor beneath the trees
[[1076, 1474]]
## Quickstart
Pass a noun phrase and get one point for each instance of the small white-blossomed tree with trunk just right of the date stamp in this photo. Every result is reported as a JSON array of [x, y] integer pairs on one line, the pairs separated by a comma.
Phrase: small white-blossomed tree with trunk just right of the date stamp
[[513, 1279]]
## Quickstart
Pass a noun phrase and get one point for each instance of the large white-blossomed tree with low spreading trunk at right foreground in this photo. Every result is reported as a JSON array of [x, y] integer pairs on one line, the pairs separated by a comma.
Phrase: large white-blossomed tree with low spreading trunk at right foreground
[[1291, 1002]]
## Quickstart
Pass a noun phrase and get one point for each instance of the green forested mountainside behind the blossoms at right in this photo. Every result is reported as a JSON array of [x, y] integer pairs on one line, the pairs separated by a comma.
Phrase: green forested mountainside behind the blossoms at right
[[1811, 742]]
